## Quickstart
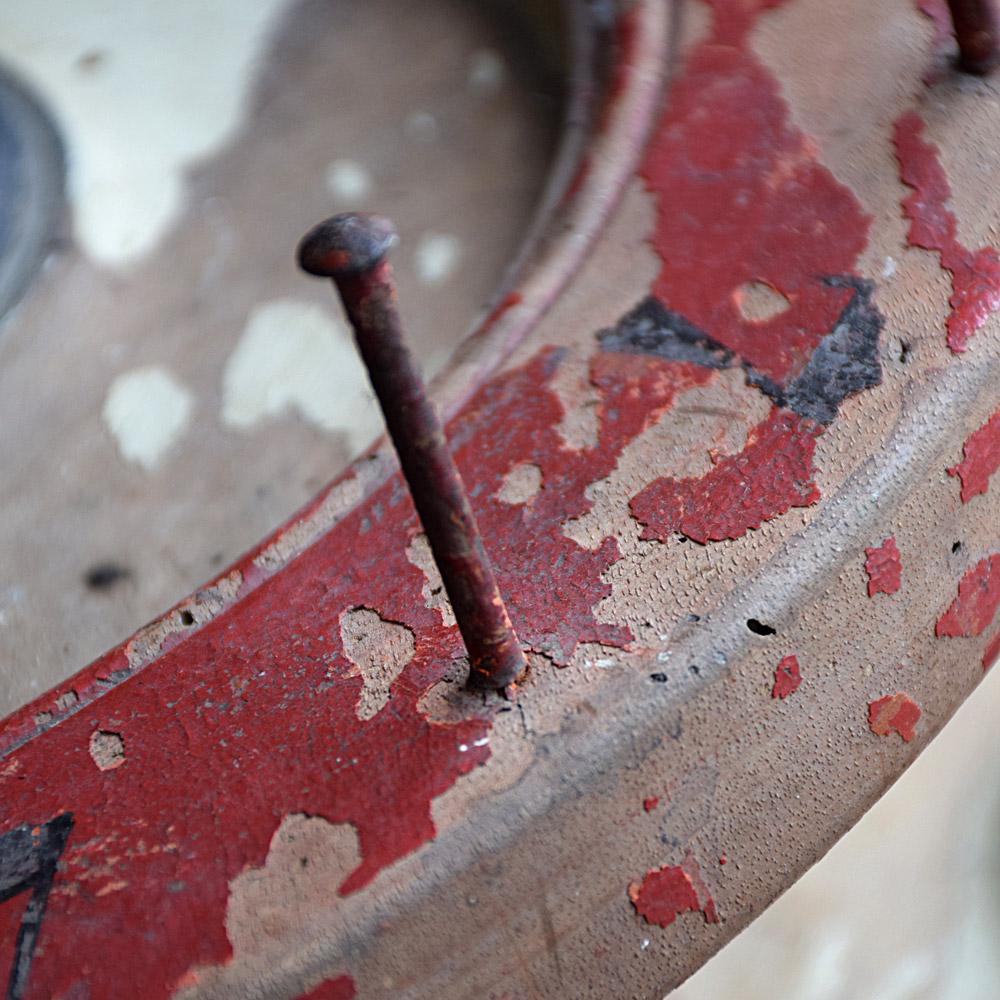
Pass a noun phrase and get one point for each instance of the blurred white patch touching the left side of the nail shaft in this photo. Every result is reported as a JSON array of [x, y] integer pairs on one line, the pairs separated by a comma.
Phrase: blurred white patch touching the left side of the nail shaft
[[296, 357]]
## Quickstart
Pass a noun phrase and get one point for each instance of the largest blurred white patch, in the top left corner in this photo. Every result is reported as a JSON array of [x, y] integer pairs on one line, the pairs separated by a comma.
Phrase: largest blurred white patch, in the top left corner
[[140, 89]]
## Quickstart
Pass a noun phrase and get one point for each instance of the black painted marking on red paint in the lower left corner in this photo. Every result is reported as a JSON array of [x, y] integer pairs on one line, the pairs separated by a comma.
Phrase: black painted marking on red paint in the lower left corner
[[29, 855]]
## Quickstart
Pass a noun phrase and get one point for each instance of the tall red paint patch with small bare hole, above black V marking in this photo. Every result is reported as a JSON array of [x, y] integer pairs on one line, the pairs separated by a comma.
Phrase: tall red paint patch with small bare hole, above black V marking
[[742, 197]]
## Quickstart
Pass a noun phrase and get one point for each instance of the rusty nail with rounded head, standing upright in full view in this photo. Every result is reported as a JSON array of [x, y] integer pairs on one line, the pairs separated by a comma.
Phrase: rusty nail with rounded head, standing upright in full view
[[351, 249]]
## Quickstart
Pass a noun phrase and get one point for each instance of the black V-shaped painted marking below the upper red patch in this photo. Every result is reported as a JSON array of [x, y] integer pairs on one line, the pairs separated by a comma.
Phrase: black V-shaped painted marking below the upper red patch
[[845, 362]]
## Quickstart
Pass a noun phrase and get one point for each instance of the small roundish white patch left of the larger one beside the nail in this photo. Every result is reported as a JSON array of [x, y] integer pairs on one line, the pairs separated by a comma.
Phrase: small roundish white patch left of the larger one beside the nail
[[146, 411]]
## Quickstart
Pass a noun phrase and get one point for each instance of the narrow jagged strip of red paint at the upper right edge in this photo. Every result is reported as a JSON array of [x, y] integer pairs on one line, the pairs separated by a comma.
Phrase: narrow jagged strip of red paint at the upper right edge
[[975, 275]]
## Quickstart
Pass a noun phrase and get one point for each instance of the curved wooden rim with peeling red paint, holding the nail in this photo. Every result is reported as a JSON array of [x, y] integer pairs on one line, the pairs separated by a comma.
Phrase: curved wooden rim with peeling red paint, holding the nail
[[729, 438]]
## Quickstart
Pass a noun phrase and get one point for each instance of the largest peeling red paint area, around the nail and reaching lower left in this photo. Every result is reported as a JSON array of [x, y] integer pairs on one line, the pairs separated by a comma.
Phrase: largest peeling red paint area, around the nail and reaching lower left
[[252, 716]]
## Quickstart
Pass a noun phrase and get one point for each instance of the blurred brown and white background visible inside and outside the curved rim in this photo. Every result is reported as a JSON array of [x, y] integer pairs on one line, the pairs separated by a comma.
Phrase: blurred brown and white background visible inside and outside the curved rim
[[171, 388]]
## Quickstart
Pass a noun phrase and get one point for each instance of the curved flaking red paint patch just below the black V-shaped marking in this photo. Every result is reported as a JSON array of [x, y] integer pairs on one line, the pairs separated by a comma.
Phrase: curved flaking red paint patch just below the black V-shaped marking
[[772, 474]]
